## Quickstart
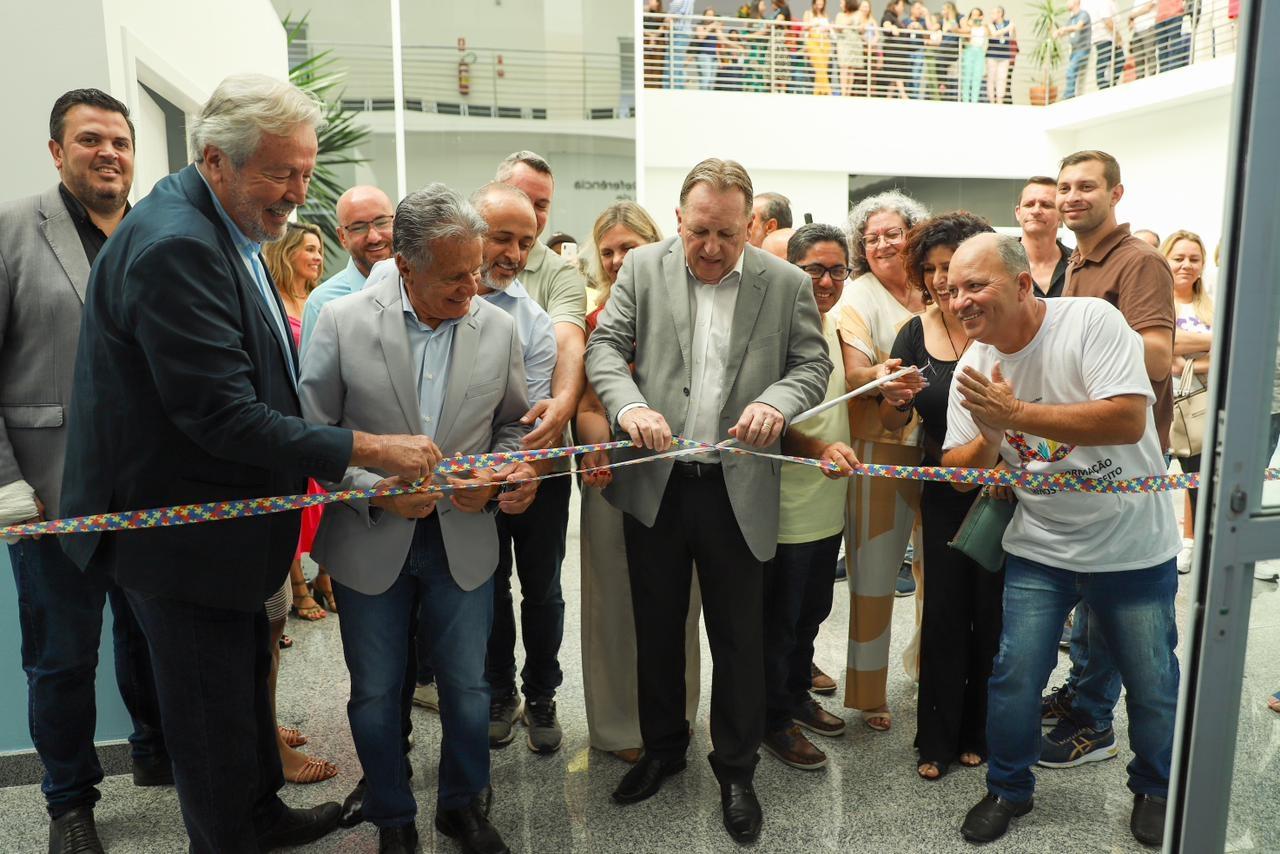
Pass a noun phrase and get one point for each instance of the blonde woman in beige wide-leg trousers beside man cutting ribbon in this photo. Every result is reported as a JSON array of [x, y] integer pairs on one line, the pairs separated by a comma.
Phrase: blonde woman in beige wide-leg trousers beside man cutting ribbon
[[609, 623]]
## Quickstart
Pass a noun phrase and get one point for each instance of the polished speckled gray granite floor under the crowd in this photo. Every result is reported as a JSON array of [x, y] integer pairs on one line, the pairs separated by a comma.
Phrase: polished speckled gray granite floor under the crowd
[[867, 800]]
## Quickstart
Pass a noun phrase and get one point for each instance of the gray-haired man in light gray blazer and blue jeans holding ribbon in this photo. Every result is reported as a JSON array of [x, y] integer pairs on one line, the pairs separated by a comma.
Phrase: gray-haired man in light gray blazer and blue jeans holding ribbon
[[456, 369]]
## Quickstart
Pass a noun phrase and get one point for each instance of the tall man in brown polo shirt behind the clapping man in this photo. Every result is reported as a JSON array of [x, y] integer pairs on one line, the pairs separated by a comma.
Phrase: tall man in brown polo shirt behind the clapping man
[[1112, 264]]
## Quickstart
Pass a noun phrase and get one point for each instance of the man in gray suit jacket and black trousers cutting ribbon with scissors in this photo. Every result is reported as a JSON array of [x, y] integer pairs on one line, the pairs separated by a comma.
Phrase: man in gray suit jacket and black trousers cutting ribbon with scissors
[[725, 342]]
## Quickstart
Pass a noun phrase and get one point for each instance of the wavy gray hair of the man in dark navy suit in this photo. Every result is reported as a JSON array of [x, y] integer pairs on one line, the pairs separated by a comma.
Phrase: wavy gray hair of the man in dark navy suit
[[244, 108]]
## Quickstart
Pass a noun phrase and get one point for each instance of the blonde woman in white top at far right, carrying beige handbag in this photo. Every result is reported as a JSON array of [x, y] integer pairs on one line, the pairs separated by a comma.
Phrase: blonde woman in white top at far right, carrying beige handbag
[[1186, 255]]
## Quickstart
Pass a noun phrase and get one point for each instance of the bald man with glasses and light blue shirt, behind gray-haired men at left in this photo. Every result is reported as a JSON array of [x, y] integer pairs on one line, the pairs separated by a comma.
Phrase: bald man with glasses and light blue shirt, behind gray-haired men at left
[[365, 218]]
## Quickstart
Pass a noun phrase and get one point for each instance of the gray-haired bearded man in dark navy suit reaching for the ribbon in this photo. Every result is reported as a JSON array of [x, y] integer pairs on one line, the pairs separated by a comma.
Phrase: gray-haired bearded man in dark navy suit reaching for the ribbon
[[186, 392]]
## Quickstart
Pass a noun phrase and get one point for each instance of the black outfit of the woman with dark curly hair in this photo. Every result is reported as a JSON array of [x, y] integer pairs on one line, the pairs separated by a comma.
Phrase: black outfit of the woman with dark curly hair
[[961, 628]]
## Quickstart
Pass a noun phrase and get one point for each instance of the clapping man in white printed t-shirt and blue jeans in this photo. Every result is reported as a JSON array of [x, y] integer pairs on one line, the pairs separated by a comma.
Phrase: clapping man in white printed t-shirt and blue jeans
[[1057, 387]]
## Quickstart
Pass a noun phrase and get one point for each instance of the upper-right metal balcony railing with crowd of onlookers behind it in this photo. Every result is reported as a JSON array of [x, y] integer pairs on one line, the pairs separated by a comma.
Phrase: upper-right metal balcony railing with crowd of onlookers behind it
[[938, 61]]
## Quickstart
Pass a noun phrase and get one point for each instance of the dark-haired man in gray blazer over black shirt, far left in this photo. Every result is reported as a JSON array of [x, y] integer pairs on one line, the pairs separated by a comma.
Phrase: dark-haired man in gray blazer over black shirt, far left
[[48, 244]]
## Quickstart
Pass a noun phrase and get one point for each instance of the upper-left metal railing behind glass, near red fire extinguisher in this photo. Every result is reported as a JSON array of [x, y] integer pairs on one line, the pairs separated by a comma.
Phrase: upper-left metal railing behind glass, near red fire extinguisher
[[488, 83]]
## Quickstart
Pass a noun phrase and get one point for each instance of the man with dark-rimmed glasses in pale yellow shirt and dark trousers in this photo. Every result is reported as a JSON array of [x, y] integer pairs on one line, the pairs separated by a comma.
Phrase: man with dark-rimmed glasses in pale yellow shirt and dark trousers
[[798, 590]]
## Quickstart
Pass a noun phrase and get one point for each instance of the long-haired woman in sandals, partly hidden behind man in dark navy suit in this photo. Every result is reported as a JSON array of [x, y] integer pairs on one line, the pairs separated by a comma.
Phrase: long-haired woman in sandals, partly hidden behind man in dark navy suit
[[296, 264]]
